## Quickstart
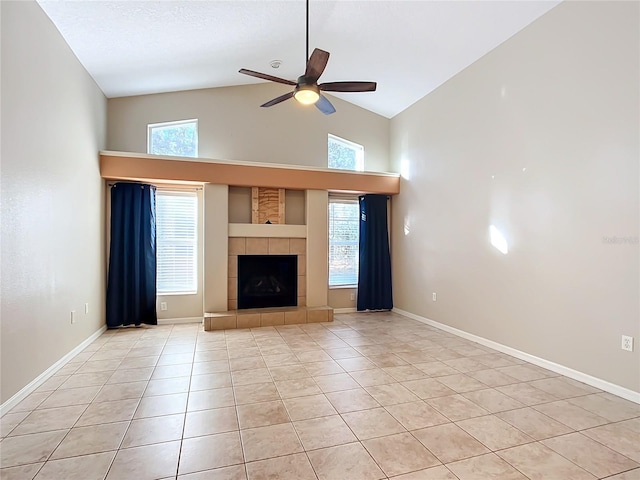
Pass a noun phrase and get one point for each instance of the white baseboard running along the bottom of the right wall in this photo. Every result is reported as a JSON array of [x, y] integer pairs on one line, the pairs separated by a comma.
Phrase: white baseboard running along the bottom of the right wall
[[618, 390]]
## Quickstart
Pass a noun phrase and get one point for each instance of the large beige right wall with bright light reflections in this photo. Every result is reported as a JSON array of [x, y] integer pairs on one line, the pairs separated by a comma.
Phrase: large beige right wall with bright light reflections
[[559, 99]]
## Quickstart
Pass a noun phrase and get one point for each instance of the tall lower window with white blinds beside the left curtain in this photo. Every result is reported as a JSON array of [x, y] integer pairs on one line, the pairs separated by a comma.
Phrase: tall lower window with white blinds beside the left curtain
[[177, 241]]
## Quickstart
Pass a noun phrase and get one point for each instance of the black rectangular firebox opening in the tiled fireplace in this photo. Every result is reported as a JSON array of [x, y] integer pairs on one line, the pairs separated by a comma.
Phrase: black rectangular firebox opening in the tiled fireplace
[[267, 281]]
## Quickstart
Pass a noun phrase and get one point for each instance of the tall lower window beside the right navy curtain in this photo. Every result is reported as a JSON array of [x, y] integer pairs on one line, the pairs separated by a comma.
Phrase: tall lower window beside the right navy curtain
[[344, 227]]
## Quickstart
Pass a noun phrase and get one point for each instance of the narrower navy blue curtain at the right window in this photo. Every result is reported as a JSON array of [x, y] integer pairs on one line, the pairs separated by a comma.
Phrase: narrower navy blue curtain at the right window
[[374, 274]]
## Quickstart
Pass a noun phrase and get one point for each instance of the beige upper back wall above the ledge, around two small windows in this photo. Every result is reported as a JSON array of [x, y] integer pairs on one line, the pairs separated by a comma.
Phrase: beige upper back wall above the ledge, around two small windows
[[232, 126]]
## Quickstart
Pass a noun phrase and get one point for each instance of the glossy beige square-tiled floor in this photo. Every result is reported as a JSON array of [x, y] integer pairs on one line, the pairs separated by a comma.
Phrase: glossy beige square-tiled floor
[[367, 397]]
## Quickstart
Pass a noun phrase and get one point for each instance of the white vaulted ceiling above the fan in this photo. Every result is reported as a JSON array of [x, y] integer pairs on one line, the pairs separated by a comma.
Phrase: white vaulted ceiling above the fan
[[408, 47]]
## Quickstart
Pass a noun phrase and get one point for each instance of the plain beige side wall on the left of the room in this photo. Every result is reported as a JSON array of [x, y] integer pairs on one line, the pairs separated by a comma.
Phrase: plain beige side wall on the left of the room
[[52, 197]]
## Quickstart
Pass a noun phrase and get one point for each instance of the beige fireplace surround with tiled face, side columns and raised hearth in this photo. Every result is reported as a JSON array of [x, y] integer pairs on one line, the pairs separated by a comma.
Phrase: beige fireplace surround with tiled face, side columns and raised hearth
[[307, 241]]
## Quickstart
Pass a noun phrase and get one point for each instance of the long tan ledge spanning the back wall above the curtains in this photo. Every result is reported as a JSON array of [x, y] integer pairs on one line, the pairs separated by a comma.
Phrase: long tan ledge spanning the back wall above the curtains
[[161, 169]]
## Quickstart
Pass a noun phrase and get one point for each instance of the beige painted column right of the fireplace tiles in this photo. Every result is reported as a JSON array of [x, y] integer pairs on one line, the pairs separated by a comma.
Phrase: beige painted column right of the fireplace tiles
[[317, 205]]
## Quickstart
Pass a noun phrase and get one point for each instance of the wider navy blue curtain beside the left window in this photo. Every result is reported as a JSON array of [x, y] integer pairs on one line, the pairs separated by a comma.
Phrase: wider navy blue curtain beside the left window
[[131, 288]]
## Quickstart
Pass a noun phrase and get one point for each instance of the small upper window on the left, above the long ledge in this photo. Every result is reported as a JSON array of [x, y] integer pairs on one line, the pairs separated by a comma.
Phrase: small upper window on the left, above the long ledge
[[173, 138]]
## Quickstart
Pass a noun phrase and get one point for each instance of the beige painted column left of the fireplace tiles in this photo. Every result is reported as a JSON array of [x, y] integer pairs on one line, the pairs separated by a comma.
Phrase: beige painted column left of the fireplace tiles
[[216, 241]]
